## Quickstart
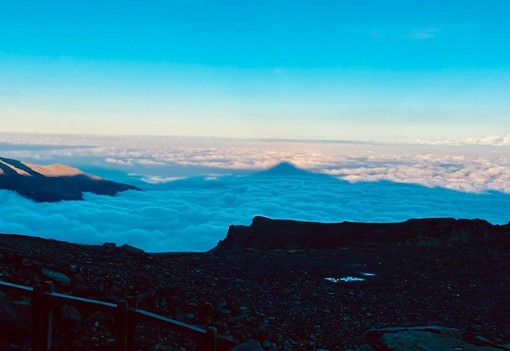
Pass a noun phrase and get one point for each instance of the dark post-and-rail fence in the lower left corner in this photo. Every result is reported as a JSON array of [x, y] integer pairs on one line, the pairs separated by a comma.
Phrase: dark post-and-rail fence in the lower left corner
[[44, 298]]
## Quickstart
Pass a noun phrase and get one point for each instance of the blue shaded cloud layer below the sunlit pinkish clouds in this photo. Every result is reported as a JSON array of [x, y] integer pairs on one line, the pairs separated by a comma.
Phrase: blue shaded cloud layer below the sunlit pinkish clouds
[[193, 214]]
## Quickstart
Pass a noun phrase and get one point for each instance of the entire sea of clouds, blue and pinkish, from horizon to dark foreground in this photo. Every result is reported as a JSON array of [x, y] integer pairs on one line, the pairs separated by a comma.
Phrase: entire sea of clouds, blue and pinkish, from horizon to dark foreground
[[193, 189]]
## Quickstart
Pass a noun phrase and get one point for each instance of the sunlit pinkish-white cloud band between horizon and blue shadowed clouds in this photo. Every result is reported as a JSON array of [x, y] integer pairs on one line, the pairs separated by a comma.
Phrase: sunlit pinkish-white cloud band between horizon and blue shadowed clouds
[[474, 165]]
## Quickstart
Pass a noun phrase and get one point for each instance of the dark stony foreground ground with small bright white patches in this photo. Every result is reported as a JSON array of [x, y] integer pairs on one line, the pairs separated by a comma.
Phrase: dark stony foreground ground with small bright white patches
[[280, 298]]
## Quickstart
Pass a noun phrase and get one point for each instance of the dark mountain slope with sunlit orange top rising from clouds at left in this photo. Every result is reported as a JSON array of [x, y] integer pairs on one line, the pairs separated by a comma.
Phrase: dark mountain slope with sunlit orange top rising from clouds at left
[[53, 183]]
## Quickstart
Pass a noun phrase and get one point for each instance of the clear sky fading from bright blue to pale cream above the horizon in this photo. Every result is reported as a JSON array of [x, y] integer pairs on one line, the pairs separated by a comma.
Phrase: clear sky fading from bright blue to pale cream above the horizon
[[367, 69]]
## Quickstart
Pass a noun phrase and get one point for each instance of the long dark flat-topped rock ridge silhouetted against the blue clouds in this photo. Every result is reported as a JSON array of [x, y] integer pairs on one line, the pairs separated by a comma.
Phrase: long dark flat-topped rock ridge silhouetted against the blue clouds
[[271, 234]]
